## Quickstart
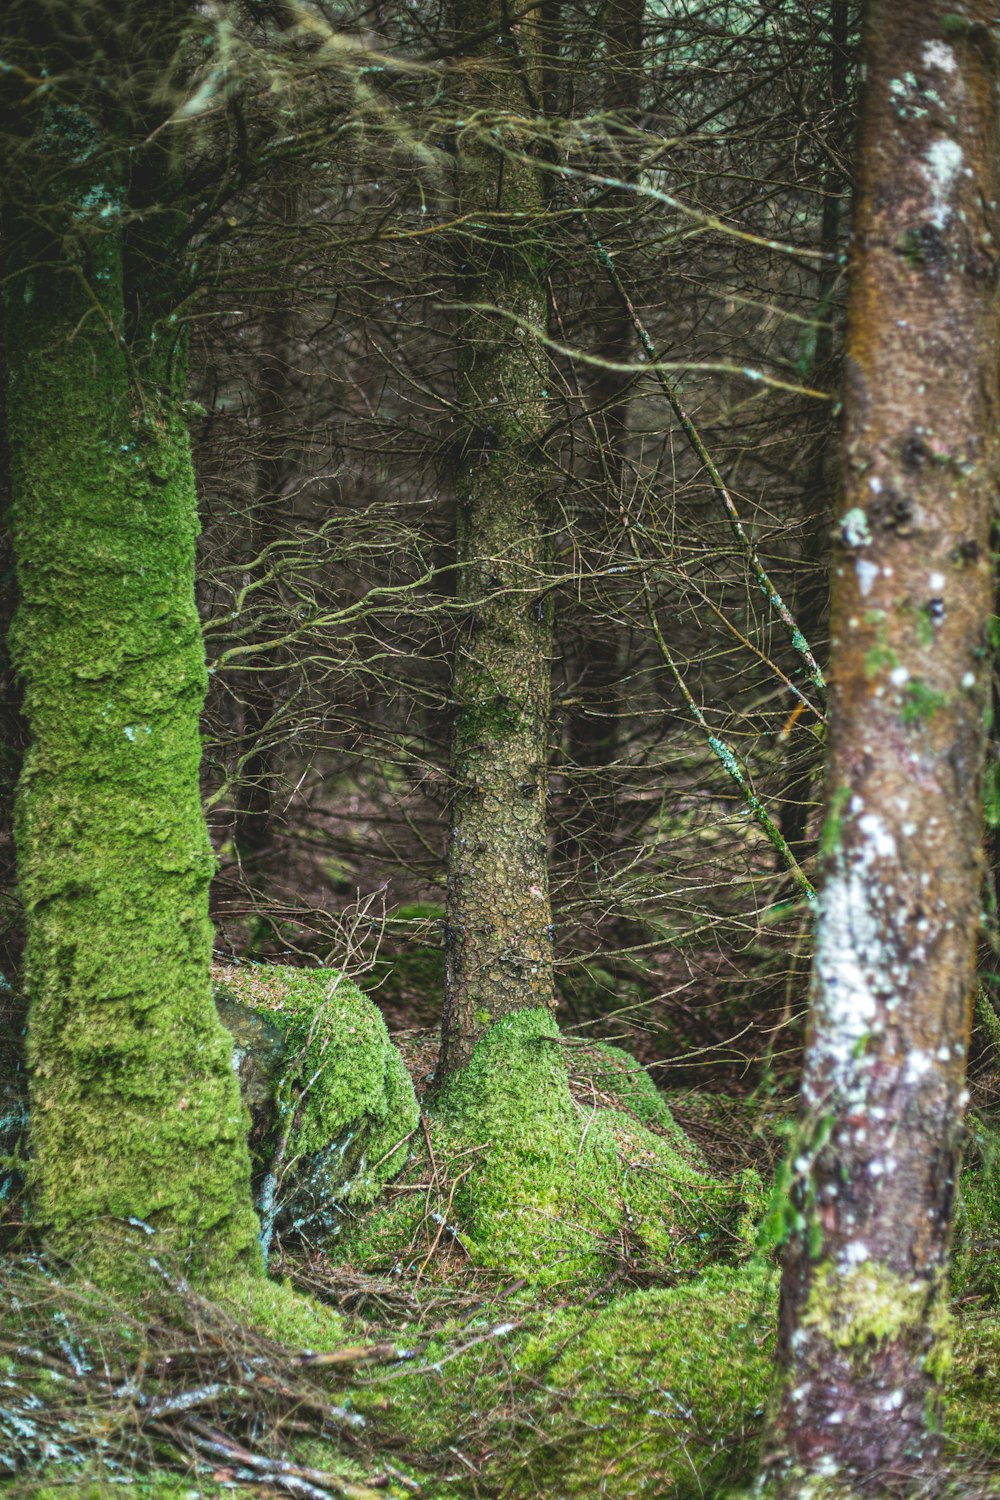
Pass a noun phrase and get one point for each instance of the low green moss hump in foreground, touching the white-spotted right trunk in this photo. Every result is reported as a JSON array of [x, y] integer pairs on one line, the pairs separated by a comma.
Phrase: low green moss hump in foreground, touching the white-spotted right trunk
[[656, 1394]]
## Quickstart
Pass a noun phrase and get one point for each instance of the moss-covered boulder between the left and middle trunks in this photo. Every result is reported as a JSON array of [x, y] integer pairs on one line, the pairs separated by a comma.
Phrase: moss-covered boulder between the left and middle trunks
[[331, 1102]]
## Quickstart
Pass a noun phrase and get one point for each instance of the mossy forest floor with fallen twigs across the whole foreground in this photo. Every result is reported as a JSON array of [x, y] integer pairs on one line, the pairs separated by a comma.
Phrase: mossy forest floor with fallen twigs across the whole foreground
[[504, 1393]]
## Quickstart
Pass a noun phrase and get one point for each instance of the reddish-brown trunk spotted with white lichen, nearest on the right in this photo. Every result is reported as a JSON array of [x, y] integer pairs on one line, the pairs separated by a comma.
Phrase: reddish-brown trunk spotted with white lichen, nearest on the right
[[864, 1291]]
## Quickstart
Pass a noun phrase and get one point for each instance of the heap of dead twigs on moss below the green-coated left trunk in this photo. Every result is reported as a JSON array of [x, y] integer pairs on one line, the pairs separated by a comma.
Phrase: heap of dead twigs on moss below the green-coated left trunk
[[164, 1393]]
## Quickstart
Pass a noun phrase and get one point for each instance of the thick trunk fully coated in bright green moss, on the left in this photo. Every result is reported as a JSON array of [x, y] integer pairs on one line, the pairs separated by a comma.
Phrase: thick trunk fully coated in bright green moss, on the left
[[134, 1106]]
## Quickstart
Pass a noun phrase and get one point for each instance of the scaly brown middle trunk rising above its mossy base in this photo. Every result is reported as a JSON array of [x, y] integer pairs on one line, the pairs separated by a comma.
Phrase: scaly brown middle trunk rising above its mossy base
[[499, 952]]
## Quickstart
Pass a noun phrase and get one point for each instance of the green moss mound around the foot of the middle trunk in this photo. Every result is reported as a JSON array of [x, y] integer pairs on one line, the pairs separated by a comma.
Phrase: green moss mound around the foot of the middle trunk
[[518, 1174]]
